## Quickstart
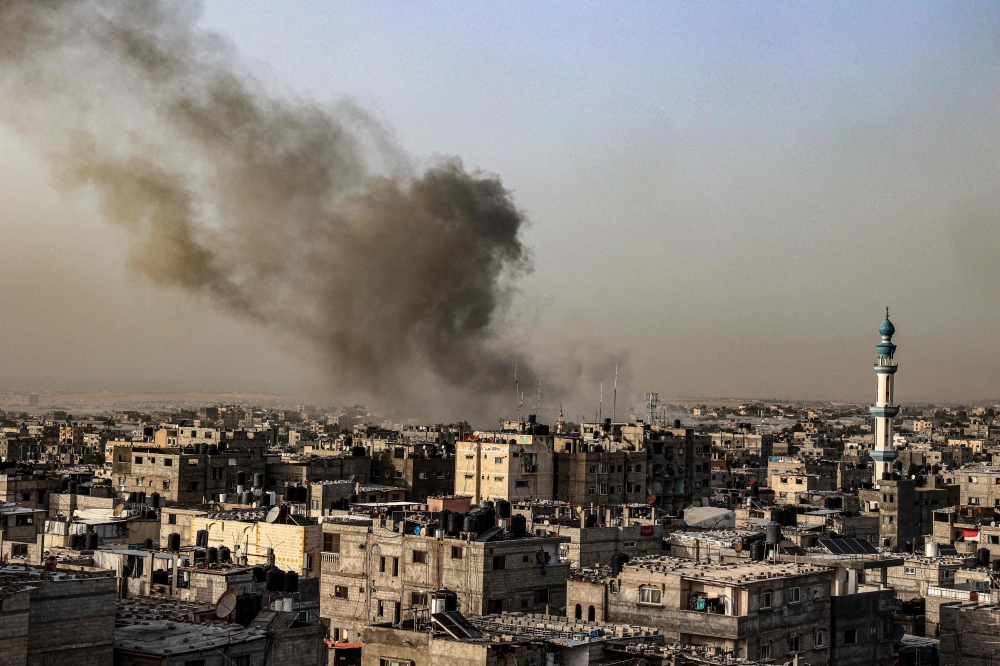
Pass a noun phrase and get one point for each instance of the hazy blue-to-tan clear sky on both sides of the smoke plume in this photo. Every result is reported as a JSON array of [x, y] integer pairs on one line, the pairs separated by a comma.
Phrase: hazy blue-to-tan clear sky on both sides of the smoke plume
[[730, 194]]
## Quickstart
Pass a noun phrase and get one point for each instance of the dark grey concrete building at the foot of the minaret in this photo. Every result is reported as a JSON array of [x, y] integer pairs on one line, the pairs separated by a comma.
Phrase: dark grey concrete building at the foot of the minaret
[[906, 511]]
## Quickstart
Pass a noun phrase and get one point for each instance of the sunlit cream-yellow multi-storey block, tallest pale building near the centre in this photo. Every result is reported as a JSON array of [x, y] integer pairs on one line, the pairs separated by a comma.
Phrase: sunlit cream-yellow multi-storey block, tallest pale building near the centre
[[514, 463]]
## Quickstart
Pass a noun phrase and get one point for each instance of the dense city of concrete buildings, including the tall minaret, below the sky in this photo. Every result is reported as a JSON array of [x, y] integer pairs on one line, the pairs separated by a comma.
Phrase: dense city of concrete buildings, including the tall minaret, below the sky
[[687, 534]]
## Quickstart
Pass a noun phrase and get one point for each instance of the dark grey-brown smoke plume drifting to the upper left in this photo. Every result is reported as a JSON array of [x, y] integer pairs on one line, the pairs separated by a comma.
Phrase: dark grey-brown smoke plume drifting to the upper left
[[271, 205]]
